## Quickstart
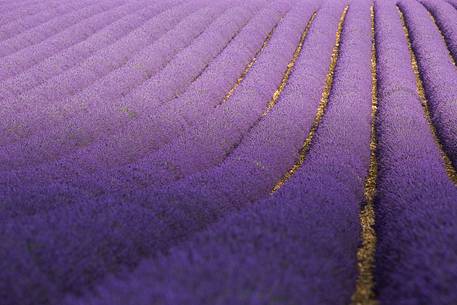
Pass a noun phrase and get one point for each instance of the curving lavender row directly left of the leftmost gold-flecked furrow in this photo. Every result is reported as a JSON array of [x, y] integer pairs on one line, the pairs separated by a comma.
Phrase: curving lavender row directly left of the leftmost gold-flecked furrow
[[200, 100]]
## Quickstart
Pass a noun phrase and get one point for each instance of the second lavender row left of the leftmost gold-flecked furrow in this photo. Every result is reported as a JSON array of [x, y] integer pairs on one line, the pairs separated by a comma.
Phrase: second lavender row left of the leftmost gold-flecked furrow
[[212, 41]]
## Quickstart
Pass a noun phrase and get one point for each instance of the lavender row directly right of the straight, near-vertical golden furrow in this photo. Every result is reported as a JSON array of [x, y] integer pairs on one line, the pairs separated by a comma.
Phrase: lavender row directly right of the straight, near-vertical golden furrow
[[415, 207]]
